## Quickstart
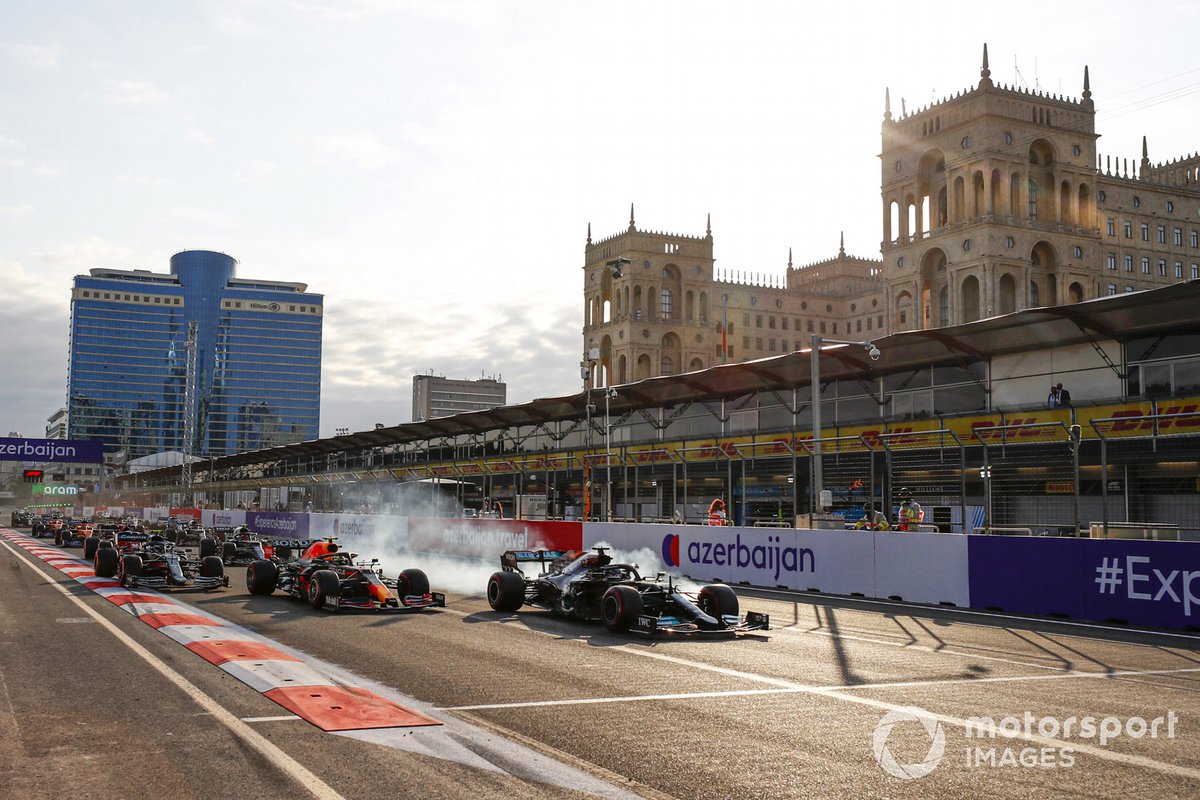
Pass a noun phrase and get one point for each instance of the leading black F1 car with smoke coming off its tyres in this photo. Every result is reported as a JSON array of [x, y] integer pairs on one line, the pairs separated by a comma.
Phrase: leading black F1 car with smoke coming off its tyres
[[590, 587]]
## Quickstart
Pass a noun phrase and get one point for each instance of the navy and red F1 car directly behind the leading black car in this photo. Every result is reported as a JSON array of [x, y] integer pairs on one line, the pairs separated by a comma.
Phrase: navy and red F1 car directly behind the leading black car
[[328, 578]]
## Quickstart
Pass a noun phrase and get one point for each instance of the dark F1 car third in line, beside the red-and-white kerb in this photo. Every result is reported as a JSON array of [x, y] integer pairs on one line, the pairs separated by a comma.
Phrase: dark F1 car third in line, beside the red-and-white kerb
[[151, 562]]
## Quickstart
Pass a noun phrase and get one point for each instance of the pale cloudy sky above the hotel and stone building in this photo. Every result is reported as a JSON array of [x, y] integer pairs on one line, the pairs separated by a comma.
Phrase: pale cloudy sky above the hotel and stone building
[[433, 166]]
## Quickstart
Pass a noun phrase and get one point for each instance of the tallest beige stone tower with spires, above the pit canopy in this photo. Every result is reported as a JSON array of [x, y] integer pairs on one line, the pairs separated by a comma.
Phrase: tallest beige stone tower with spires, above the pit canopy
[[989, 204]]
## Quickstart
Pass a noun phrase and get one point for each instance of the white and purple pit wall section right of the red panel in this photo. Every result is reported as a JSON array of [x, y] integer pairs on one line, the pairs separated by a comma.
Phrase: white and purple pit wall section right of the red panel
[[1144, 584]]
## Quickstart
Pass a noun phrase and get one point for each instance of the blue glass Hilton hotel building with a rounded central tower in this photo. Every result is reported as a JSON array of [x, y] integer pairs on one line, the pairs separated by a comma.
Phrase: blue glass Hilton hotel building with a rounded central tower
[[257, 364]]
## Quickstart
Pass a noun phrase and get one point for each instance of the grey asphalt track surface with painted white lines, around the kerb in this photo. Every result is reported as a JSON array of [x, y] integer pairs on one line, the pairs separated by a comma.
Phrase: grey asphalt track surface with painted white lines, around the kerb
[[97, 705]]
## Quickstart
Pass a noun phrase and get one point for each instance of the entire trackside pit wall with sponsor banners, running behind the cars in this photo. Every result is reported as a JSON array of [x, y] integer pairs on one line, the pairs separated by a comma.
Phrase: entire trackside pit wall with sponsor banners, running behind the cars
[[1143, 584]]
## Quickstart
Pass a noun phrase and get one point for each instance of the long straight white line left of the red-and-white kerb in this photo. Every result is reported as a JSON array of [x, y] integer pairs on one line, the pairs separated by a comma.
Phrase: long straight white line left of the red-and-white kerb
[[285, 763]]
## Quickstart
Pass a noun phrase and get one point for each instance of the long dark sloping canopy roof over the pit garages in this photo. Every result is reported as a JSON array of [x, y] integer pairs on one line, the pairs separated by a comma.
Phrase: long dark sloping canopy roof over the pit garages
[[1173, 310]]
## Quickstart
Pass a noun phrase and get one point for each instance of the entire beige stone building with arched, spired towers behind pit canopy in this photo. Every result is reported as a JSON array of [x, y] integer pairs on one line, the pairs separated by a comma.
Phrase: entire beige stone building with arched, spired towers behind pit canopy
[[994, 201]]
